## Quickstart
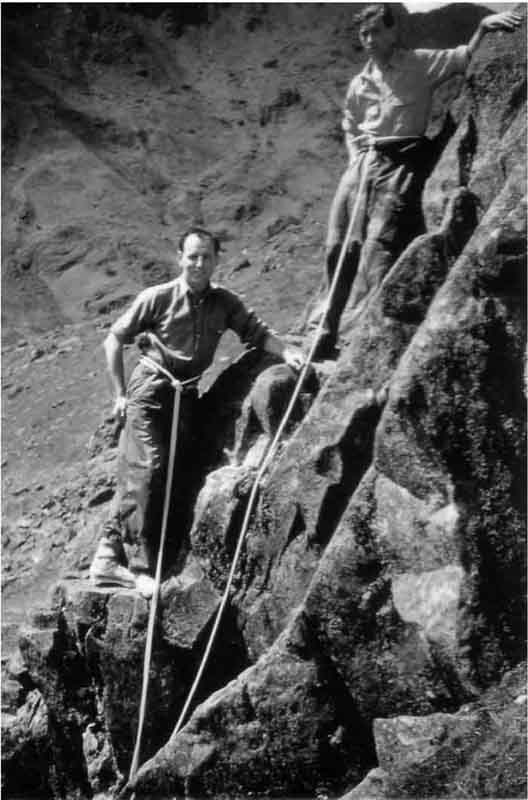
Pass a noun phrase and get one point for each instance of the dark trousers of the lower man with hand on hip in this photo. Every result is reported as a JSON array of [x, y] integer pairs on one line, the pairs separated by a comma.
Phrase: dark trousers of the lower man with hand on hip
[[137, 508]]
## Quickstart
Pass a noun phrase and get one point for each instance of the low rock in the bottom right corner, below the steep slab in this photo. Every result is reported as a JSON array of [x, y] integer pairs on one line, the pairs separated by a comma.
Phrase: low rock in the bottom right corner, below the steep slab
[[453, 755]]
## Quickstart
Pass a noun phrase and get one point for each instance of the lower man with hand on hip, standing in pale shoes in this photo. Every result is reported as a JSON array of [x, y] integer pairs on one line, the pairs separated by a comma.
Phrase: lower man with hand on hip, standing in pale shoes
[[180, 324]]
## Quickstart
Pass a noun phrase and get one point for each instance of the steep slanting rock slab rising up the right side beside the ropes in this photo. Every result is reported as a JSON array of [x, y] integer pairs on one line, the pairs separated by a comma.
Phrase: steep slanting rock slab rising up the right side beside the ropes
[[392, 549]]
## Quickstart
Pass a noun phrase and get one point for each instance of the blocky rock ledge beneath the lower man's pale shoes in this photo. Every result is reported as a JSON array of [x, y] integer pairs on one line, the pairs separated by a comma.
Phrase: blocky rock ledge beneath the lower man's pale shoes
[[82, 658]]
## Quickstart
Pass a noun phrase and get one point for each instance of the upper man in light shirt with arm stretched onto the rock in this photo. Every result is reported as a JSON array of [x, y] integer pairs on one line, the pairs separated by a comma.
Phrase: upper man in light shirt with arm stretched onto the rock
[[386, 113]]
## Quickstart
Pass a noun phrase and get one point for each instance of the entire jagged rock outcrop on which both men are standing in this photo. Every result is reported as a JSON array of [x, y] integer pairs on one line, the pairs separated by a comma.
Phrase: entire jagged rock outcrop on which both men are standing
[[381, 584]]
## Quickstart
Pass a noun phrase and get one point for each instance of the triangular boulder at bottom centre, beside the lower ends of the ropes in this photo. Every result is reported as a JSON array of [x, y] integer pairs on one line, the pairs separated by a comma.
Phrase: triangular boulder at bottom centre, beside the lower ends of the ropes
[[196, 762]]
